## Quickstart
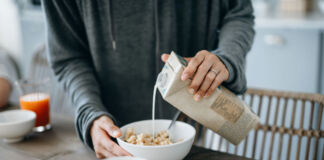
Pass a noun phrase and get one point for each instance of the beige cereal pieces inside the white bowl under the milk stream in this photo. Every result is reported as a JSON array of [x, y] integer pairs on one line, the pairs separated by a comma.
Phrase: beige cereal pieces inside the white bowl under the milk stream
[[161, 138]]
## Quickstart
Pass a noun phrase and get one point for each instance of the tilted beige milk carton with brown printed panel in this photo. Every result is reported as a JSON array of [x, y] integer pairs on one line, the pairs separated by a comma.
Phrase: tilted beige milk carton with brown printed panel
[[222, 112]]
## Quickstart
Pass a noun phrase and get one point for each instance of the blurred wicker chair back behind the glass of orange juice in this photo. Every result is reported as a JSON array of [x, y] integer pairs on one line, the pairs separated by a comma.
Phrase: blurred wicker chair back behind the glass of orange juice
[[39, 69]]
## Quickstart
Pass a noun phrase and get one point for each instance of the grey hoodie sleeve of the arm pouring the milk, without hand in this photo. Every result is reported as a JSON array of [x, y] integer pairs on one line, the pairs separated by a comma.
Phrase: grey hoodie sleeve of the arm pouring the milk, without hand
[[236, 38]]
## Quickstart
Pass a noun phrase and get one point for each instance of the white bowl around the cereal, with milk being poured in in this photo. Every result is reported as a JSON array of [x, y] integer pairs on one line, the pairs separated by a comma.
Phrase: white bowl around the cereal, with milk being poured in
[[176, 151]]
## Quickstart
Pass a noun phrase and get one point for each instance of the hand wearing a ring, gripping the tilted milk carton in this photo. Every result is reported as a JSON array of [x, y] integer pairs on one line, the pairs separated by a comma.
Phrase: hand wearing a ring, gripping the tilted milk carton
[[207, 72]]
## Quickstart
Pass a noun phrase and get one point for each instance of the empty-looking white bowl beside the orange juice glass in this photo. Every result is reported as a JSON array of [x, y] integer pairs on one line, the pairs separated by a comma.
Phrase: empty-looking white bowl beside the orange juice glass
[[14, 124]]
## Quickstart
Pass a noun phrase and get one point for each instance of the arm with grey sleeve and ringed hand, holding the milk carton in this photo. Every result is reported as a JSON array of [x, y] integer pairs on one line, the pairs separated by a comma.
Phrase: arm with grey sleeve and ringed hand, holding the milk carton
[[226, 64]]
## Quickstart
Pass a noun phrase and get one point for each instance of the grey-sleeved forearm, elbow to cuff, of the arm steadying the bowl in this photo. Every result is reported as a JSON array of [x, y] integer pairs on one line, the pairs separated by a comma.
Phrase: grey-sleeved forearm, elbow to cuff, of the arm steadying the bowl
[[78, 79]]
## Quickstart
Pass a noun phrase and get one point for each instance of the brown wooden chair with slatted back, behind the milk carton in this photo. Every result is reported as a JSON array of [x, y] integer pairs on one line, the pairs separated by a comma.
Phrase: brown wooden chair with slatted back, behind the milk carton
[[291, 127]]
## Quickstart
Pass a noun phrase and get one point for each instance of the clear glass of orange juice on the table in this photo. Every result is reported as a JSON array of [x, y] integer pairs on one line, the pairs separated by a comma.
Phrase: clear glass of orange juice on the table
[[34, 96]]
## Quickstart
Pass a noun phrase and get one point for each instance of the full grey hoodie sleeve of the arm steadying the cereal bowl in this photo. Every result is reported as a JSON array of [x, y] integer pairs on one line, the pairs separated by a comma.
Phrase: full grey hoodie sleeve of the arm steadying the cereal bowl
[[71, 61]]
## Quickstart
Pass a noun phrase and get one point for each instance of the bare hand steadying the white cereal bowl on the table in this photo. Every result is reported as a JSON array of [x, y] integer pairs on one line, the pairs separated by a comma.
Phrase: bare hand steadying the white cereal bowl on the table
[[101, 130]]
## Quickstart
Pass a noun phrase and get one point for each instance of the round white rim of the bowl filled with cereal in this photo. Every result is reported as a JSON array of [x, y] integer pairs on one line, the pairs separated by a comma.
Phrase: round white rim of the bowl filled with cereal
[[160, 146]]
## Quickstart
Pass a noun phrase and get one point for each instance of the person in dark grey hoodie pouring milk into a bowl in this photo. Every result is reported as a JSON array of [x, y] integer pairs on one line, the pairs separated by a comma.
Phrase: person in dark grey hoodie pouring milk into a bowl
[[107, 56]]
